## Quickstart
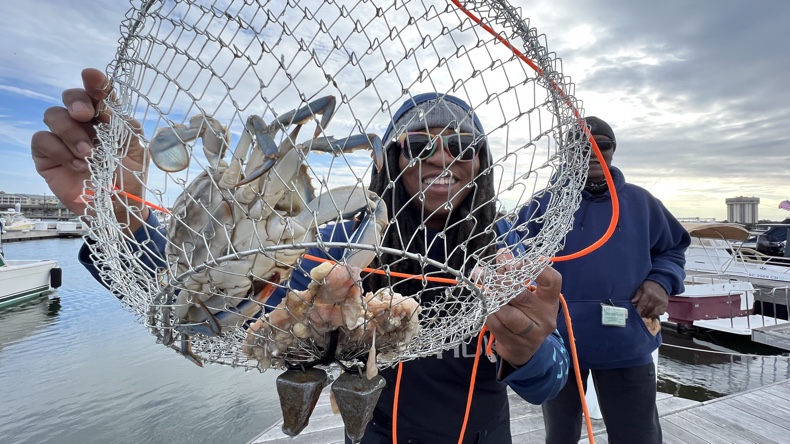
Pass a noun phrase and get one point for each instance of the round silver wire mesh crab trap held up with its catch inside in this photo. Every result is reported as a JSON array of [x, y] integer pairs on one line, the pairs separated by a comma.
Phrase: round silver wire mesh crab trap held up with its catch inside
[[251, 130]]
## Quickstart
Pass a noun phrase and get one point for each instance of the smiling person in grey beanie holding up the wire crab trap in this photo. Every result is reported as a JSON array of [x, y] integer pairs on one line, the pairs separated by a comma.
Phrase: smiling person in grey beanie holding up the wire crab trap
[[530, 355]]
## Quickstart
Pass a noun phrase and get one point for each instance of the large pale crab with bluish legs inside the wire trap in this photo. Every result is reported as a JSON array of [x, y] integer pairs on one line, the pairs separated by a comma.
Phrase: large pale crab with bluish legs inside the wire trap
[[259, 199]]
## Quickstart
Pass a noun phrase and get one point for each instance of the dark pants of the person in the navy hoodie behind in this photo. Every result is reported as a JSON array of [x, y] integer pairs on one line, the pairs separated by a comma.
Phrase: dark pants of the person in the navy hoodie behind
[[627, 397]]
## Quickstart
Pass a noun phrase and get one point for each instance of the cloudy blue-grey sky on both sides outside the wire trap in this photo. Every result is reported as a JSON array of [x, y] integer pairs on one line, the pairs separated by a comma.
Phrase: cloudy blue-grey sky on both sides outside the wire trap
[[694, 90]]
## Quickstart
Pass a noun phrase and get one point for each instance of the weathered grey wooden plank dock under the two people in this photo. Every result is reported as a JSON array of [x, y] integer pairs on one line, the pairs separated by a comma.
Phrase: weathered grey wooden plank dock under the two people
[[758, 416]]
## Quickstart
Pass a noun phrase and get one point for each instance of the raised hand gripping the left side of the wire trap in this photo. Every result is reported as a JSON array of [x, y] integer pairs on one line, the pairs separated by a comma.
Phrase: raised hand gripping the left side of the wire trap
[[59, 154]]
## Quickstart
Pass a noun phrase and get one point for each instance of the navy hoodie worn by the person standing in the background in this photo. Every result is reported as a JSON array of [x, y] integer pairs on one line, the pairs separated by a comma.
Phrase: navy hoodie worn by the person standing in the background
[[648, 244]]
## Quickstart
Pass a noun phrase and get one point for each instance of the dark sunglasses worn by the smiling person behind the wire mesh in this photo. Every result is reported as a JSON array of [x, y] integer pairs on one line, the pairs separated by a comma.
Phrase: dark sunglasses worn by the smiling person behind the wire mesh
[[419, 145]]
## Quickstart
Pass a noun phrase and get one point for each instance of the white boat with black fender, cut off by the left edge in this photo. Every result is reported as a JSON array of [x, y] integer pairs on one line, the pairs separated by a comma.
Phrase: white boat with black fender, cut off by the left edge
[[23, 280]]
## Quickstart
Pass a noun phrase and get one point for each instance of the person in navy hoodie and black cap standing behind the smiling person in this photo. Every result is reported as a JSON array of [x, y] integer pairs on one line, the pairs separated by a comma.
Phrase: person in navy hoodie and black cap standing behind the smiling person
[[615, 295]]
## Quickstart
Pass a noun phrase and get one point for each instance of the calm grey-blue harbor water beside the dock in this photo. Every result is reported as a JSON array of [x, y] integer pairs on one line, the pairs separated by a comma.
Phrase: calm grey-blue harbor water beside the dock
[[81, 369]]
